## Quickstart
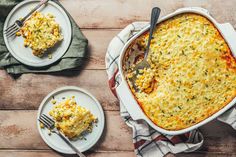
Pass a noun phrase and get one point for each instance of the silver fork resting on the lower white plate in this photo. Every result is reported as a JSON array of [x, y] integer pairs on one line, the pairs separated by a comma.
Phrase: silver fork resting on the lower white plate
[[50, 125]]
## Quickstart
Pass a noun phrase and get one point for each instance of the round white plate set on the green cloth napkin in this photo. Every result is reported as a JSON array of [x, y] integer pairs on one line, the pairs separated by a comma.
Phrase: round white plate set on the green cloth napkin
[[24, 55]]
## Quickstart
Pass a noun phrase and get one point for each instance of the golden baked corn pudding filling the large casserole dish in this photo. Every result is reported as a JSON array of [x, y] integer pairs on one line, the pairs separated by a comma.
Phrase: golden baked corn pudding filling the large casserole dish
[[192, 73]]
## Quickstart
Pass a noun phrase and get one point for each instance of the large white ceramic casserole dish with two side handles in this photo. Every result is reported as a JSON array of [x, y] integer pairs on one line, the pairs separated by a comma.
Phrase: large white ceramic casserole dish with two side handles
[[127, 97]]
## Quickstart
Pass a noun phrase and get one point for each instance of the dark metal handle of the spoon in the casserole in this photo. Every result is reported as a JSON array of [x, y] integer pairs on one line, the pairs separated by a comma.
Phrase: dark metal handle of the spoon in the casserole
[[154, 17]]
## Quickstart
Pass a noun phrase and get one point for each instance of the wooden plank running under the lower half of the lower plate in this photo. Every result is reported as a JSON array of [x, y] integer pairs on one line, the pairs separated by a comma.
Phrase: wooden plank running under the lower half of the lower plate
[[18, 131]]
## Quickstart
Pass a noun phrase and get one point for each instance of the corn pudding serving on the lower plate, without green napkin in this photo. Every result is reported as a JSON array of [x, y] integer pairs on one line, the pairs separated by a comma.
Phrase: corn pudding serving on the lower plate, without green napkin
[[71, 119]]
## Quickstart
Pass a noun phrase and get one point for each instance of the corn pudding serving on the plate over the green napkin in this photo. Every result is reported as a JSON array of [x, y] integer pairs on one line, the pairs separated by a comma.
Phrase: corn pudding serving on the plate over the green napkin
[[41, 32]]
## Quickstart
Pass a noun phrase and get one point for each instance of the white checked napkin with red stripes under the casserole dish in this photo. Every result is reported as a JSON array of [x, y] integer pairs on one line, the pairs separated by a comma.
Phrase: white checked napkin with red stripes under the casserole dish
[[147, 141]]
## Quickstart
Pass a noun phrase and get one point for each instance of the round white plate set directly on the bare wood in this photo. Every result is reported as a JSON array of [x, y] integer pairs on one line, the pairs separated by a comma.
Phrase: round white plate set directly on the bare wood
[[83, 98]]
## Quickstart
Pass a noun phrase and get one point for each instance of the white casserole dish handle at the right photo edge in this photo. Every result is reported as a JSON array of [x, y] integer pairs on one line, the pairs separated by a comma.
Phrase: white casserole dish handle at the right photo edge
[[229, 33]]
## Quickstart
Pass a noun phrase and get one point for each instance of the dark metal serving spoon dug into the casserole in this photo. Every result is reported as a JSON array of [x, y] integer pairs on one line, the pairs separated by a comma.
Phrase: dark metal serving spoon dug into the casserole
[[144, 63]]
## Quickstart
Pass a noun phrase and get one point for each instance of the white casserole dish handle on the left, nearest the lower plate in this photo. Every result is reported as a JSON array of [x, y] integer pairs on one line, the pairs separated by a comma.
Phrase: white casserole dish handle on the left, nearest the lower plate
[[126, 97]]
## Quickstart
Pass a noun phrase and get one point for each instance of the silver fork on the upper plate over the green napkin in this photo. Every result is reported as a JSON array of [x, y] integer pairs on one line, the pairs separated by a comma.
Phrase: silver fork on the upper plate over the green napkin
[[11, 30]]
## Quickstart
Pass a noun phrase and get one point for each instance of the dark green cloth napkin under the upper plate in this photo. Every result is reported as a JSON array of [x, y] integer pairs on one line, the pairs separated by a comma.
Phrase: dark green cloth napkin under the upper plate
[[72, 59]]
